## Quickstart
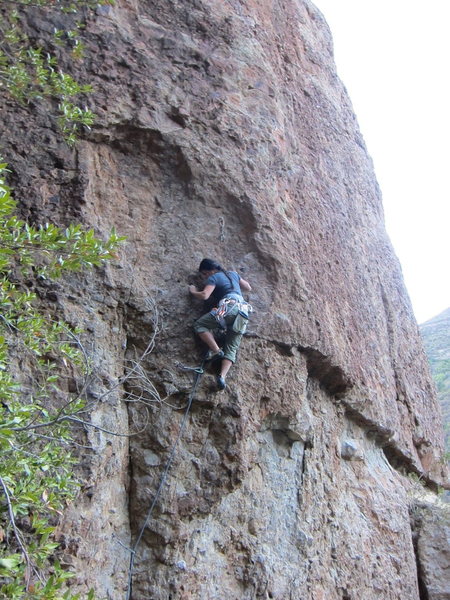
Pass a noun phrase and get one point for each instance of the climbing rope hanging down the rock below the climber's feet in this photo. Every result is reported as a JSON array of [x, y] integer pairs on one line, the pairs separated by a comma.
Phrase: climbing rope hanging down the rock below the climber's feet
[[198, 371]]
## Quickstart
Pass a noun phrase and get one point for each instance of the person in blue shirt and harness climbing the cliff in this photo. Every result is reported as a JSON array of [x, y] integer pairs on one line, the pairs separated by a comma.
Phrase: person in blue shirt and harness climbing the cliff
[[230, 311]]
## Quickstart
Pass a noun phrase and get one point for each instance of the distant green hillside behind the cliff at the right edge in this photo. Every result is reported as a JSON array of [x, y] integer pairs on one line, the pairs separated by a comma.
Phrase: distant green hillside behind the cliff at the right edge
[[436, 337]]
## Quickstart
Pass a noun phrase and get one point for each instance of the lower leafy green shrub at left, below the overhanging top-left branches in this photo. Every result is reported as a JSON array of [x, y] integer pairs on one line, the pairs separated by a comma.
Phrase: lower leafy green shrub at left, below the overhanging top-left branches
[[39, 356]]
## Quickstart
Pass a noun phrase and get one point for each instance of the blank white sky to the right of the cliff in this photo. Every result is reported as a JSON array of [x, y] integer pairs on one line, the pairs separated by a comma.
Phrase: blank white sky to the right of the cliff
[[393, 57]]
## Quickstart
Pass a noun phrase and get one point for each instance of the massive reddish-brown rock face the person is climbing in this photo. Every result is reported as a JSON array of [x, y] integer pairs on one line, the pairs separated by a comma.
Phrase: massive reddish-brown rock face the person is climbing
[[224, 132]]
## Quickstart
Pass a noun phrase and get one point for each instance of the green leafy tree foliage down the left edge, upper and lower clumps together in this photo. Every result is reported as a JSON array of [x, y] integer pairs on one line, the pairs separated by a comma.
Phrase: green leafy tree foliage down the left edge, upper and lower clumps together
[[42, 359]]
